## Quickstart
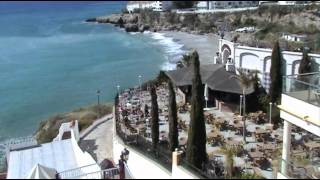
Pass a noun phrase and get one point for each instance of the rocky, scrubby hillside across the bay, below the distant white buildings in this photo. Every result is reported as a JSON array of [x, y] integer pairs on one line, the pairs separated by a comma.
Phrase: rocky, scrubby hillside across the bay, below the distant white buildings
[[270, 20]]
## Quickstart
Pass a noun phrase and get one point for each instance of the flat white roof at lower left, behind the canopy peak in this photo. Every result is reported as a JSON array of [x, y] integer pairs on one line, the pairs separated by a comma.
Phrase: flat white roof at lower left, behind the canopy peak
[[58, 155]]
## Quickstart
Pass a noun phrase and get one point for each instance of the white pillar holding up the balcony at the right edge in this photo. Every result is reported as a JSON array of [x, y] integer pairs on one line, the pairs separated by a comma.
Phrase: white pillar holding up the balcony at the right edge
[[286, 149]]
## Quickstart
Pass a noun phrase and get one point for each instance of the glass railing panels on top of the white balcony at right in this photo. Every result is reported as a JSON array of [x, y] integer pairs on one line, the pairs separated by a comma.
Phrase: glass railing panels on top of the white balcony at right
[[305, 87]]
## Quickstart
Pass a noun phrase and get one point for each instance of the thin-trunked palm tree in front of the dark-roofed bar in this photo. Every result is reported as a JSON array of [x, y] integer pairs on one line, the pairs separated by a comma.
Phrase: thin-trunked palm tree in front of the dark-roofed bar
[[246, 81]]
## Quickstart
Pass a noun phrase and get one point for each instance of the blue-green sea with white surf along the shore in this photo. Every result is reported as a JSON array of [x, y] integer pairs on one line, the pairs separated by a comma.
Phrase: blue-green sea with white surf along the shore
[[52, 61]]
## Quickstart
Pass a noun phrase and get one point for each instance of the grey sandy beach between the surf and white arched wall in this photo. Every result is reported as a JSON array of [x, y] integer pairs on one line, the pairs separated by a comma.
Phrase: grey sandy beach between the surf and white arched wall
[[206, 45]]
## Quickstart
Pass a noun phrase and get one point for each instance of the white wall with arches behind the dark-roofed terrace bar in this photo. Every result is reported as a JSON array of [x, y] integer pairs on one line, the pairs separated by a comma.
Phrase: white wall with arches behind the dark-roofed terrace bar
[[252, 58]]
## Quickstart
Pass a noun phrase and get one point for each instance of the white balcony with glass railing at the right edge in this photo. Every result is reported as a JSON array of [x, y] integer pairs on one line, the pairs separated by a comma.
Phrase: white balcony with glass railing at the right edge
[[301, 98]]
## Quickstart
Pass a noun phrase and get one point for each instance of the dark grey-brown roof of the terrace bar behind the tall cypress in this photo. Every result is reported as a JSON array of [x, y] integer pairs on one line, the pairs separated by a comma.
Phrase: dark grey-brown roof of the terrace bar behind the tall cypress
[[214, 75]]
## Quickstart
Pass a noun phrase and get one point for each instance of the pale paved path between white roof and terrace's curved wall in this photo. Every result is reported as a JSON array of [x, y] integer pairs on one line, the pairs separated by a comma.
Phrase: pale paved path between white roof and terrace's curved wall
[[98, 141]]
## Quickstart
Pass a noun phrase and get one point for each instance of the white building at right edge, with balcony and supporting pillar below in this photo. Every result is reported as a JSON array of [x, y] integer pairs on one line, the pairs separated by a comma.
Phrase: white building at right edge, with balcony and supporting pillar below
[[300, 107]]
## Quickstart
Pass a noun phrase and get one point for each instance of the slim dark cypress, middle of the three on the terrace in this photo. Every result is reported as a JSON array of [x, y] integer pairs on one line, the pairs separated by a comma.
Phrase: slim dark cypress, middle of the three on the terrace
[[173, 119]]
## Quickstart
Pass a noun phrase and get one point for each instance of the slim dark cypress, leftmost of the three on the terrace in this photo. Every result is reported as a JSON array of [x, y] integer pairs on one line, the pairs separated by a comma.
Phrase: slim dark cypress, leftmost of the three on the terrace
[[154, 118]]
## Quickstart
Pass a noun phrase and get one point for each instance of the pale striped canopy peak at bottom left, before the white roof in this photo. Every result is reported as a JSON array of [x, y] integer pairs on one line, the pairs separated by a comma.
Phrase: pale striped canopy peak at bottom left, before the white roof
[[42, 172]]
